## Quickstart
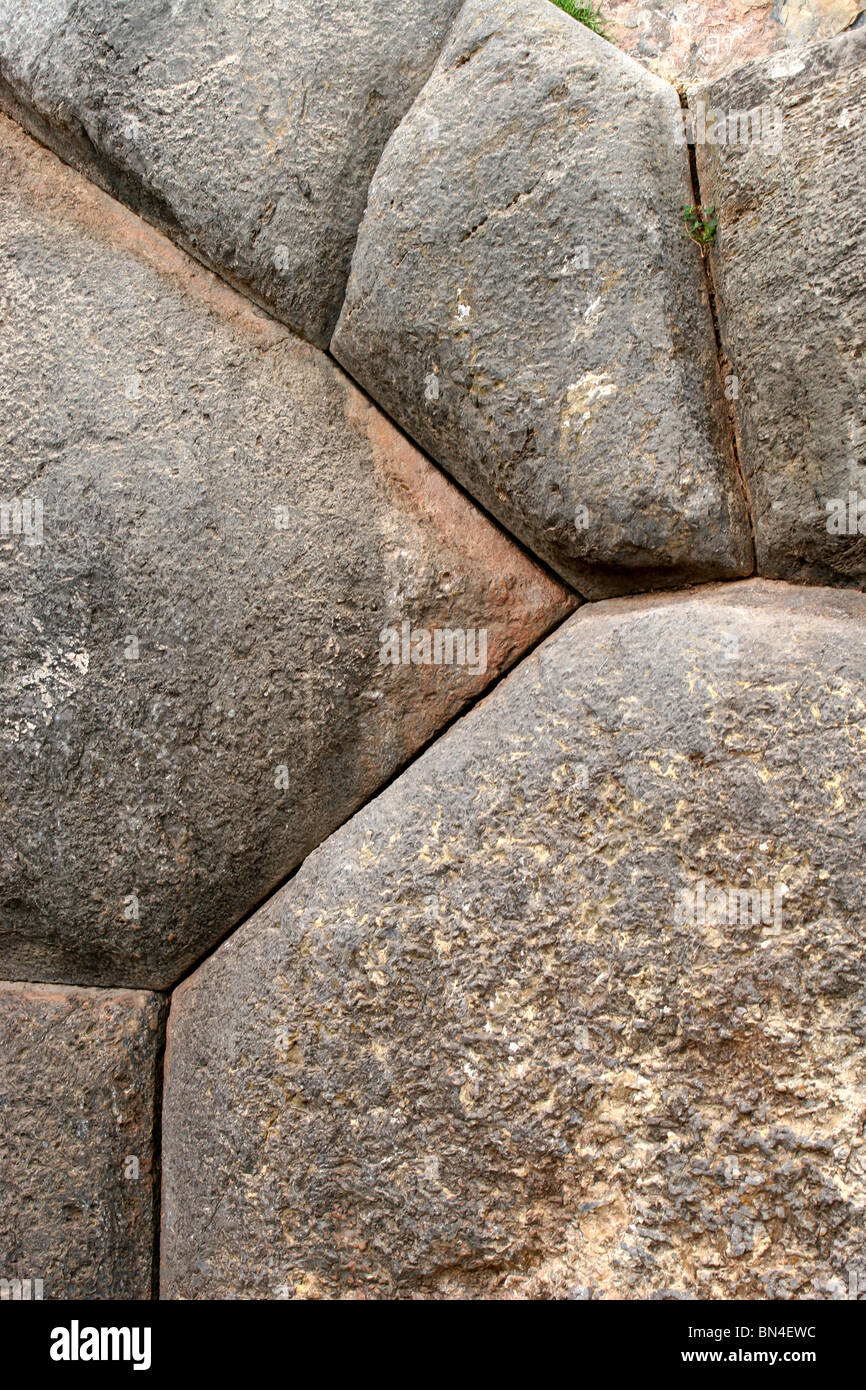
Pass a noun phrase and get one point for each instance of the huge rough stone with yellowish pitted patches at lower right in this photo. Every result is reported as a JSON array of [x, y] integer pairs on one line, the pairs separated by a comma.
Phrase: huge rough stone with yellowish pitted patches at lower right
[[472, 1052]]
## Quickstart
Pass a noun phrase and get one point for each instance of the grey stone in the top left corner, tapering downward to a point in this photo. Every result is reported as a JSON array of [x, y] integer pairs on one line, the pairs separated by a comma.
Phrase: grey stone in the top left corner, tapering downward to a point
[[248, 130]]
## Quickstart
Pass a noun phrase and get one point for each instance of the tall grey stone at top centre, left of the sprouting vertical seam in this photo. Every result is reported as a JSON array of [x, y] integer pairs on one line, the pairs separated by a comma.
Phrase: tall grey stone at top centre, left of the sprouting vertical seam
[[523, 301]]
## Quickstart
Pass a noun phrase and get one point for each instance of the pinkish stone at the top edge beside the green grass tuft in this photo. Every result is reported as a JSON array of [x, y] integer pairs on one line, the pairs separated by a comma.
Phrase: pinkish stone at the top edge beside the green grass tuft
[[687, 41]]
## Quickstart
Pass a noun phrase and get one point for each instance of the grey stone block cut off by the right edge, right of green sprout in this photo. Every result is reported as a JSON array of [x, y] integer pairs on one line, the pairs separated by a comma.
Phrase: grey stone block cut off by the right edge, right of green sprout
[[790, 268]]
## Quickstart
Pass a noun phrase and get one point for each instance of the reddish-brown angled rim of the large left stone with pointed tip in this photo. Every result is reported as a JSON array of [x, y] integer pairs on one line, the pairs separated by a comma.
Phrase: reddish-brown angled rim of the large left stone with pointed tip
[[529, 603]]
